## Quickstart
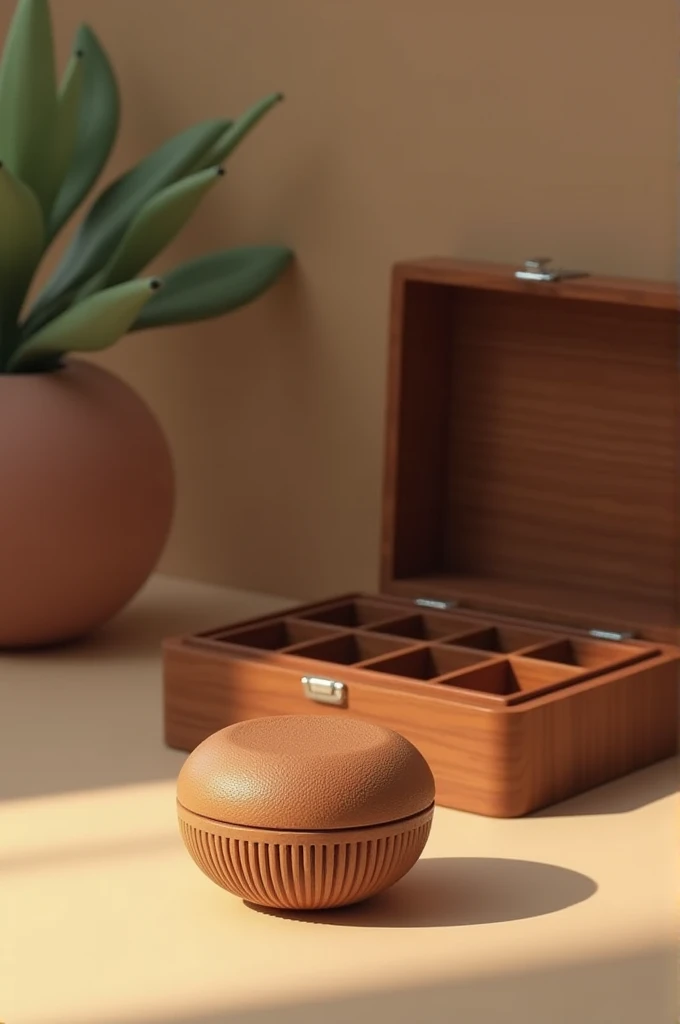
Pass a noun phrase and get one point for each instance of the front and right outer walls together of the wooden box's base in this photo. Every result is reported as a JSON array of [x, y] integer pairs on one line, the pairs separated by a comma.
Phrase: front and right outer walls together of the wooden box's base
[[497, 763]]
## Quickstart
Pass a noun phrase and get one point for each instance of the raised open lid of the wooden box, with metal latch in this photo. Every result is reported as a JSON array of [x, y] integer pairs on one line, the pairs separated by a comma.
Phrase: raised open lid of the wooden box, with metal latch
[[533, 446]]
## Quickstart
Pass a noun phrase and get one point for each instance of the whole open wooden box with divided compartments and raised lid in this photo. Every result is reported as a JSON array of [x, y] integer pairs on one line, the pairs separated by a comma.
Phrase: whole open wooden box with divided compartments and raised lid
[[525, 638]]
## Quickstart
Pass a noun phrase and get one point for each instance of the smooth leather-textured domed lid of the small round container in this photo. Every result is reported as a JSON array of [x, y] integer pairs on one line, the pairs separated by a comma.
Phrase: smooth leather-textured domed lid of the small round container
[[307, 774]]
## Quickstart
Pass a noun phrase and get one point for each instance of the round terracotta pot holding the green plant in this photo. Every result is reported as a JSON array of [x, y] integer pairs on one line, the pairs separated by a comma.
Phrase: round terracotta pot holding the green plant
[[87, 501]]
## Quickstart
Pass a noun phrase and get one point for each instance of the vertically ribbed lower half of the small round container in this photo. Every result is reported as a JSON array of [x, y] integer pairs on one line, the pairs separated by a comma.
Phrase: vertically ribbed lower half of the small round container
[[302, 872]]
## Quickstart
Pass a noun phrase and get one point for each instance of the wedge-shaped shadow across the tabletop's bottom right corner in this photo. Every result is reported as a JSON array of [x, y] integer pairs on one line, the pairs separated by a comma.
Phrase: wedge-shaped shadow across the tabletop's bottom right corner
[[636, 988]]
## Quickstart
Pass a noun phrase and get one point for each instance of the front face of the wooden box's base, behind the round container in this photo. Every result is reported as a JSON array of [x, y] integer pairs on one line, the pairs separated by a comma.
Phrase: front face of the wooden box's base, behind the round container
[[466, 747]]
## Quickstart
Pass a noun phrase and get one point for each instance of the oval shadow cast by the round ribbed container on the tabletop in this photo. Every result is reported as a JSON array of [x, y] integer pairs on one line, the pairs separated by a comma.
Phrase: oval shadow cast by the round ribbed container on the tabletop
[[449, 892]]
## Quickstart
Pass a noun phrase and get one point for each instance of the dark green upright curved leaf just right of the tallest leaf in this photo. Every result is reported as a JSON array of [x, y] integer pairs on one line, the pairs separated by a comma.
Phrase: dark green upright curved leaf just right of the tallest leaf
[[99, 117]]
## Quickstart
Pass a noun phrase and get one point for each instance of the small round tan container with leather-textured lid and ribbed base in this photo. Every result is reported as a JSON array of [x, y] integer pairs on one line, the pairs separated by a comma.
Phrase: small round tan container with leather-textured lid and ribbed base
[[306, 813]]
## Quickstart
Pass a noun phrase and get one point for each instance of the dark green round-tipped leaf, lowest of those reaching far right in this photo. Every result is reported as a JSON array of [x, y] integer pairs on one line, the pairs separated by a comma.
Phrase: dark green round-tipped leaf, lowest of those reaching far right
[[215, 285]]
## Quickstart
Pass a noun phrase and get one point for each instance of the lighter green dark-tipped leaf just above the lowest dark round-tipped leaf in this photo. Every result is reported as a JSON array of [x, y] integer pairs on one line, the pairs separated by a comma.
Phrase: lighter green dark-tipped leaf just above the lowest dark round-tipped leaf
[[156, 226]]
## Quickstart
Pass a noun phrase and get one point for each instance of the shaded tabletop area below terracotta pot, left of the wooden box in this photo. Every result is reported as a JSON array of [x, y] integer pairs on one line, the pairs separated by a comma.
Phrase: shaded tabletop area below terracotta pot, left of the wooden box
[[90, 715]]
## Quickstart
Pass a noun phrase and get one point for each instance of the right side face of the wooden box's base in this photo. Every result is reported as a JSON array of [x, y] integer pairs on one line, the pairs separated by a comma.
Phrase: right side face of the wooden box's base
[[591, 736]]
